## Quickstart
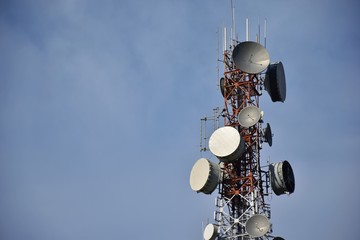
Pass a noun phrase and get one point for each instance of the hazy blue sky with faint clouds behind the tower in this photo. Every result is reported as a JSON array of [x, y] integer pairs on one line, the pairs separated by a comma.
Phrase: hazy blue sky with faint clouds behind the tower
[[100, 107]]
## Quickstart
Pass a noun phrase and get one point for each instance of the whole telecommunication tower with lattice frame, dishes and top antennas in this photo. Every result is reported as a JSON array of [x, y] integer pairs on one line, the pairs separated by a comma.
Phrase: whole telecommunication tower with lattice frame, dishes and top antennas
[[244, 185]]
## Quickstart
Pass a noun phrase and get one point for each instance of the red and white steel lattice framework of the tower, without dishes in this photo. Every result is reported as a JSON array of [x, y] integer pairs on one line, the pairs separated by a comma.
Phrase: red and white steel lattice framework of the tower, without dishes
[[244, 185]]
